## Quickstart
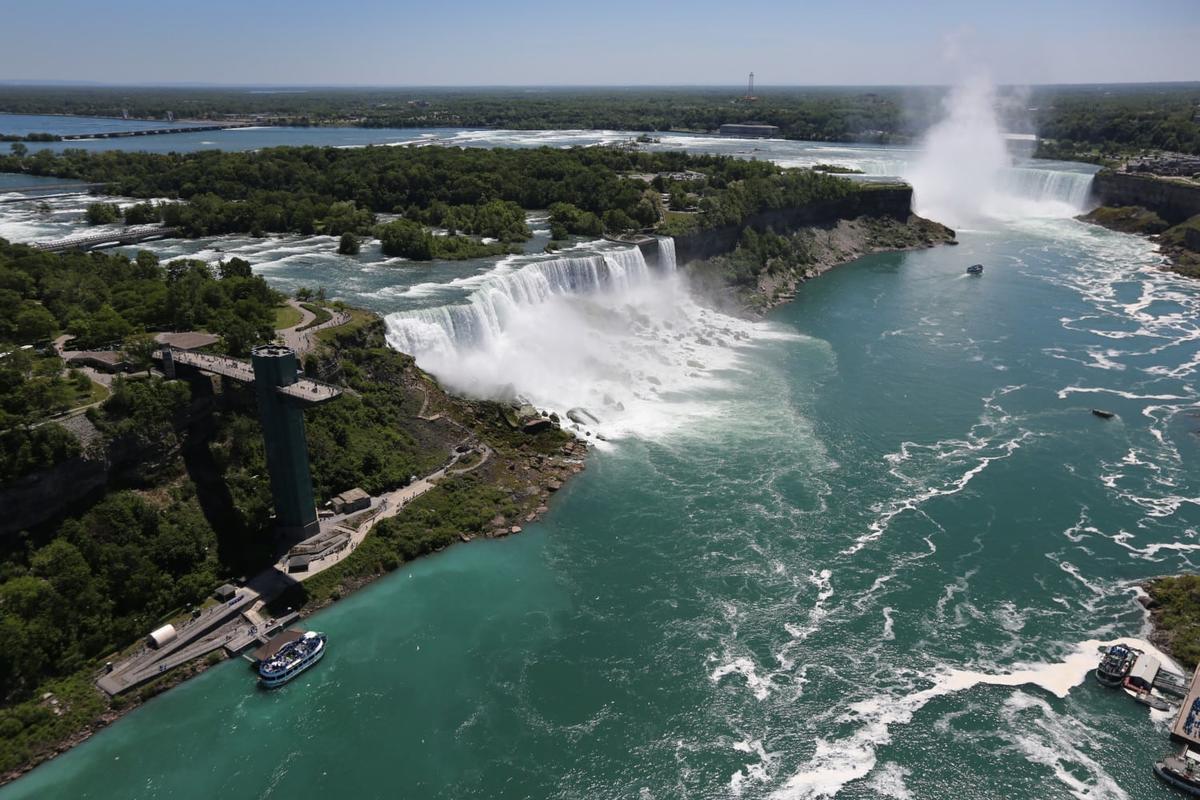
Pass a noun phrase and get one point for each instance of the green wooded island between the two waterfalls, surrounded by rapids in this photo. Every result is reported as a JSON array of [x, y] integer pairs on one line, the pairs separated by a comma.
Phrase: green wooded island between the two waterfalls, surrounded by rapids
[[465, 191]]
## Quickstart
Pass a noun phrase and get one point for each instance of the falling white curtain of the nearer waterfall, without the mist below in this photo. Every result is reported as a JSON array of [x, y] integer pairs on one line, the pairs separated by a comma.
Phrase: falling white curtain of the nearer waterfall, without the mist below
[[491, 308]]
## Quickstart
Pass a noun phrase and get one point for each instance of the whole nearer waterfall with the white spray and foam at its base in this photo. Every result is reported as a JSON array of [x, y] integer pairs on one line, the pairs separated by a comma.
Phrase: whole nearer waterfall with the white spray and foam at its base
[[605, 333]]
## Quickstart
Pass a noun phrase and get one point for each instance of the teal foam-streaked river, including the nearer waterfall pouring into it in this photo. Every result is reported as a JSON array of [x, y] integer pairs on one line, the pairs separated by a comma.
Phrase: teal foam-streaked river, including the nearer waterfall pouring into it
[[867, 548]]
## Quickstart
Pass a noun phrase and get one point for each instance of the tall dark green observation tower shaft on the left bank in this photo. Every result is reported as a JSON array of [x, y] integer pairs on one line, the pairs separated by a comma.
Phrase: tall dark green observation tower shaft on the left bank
[[287, 449]]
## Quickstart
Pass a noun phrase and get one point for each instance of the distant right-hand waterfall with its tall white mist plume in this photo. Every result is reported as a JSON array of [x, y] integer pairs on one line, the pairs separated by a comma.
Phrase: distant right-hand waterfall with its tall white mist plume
[[968, 175]]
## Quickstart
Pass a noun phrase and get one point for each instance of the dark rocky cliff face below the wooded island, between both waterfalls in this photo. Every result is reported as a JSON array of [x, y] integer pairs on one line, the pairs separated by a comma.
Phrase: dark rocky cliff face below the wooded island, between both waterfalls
[[886, 201]]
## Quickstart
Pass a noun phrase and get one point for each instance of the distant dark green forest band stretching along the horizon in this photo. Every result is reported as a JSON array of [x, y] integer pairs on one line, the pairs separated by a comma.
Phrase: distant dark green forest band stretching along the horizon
[[1111, 117]]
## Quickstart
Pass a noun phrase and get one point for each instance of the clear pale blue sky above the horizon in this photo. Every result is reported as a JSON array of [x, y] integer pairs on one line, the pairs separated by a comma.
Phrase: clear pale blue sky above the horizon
[[607, 43]]
